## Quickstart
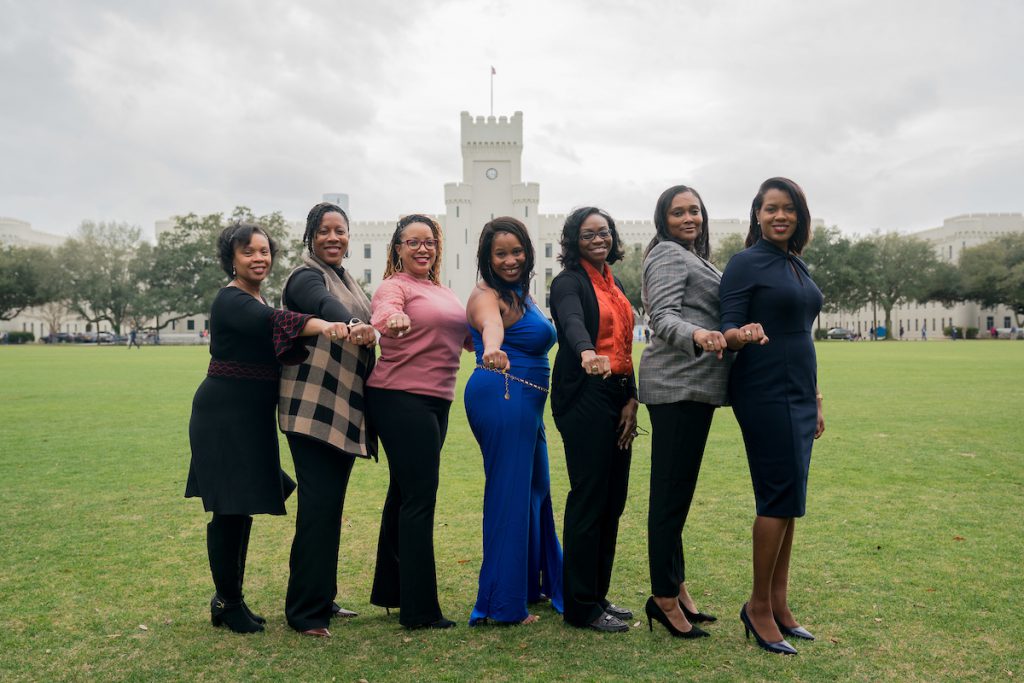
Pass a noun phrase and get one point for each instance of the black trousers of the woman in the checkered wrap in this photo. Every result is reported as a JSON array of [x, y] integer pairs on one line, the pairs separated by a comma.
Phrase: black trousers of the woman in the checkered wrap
[[313, 582]]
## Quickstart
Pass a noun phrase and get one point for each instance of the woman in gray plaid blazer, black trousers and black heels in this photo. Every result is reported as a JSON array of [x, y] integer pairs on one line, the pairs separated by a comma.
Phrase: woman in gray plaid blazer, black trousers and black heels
[[685, 376]]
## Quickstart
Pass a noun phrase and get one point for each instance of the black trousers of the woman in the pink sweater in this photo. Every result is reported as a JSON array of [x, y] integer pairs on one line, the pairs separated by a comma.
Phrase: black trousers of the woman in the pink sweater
[[412, 430]]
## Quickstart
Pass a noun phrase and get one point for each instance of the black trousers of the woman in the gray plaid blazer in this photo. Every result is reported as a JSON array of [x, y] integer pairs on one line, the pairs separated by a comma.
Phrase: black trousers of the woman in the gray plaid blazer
[[679, 434]]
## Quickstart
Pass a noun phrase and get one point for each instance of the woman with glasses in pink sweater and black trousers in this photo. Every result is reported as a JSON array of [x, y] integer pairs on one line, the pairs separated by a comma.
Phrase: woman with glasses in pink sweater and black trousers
[[423, 331]]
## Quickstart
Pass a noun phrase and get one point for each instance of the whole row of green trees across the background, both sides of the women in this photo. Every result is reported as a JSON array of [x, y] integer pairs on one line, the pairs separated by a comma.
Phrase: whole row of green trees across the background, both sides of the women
[[106, 274]]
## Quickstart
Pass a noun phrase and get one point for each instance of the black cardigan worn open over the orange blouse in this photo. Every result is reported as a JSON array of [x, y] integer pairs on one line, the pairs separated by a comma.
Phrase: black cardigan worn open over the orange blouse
[[574, 308]]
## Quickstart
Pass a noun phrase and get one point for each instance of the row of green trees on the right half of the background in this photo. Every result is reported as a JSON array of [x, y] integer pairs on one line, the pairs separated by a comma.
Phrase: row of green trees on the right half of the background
[[884, 271]]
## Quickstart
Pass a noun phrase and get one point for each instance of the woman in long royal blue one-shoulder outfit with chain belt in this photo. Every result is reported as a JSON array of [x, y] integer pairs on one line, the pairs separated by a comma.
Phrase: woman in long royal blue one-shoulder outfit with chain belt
[[505, 398]]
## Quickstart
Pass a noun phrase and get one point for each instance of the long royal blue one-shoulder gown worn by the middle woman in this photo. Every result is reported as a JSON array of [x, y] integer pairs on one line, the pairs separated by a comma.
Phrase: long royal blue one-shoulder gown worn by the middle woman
[[522, 556]]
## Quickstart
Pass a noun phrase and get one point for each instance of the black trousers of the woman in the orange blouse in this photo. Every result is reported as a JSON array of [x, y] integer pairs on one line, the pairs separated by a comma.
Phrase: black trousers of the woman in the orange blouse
[[600, 475]]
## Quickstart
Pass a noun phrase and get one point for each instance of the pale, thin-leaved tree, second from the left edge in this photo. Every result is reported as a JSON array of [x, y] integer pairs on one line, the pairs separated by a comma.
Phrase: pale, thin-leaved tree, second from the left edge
[[99, 267]]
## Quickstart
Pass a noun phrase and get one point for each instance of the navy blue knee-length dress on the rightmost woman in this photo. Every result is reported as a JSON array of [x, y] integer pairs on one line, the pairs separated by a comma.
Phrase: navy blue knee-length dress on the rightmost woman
[[773, 388]]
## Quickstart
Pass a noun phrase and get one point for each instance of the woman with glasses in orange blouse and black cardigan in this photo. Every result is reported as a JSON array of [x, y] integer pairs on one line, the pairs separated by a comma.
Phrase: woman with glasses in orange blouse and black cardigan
[[593, 401]]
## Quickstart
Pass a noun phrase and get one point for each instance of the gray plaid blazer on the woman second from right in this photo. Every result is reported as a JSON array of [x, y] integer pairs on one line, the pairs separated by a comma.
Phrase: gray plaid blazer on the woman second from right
[[680, 294]]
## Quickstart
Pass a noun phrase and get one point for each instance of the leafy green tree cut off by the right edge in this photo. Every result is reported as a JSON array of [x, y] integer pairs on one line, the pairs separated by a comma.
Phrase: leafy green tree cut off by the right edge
[[994, 274]]
